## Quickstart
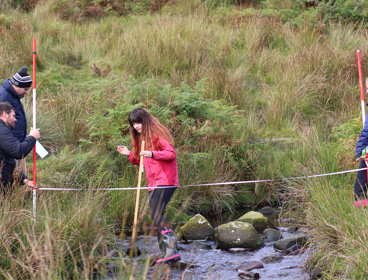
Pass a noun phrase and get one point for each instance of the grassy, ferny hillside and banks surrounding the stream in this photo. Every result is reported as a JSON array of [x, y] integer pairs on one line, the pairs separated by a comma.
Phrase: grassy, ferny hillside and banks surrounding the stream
[[249, 89]]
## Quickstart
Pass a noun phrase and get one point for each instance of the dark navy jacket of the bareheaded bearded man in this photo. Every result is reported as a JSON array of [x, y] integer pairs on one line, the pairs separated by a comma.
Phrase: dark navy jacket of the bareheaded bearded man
[[11, 149]]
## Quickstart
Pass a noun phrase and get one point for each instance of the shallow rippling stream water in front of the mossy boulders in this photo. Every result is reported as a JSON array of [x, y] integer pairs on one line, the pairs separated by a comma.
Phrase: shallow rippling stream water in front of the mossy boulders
[[214, 264]]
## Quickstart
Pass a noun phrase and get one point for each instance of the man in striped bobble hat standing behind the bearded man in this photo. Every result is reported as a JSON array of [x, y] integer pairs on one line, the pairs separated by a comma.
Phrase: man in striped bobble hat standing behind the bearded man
[[12, 91]]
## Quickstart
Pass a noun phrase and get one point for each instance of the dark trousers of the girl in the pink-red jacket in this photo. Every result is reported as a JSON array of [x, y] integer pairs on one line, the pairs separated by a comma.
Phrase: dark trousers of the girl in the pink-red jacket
[[158, 199]]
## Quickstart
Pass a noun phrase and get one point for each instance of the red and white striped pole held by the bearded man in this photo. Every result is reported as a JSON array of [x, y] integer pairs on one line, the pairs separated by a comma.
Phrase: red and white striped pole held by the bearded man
[[34, 126]]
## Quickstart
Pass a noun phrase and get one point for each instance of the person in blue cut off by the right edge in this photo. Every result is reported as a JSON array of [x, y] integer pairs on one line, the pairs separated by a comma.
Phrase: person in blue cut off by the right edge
[[360, 187]]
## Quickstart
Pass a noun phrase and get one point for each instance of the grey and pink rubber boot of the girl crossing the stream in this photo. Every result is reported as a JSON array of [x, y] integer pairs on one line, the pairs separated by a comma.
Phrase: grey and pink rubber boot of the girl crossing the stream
[[168, 246]]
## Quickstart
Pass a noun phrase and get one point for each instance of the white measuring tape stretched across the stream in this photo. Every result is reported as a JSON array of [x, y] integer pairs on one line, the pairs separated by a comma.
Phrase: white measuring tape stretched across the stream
[[208, 184]]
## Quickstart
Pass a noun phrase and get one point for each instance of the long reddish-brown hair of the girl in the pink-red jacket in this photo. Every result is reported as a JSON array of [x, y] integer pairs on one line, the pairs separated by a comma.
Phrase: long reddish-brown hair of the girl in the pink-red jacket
[[152, 129]]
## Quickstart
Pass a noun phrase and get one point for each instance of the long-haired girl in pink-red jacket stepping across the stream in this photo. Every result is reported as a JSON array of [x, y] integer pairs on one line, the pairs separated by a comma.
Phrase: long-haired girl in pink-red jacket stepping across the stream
[[159, 161]]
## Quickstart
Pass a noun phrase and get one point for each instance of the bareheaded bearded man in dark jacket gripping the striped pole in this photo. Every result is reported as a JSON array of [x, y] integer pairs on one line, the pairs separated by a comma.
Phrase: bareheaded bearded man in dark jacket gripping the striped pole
[[11, 148]]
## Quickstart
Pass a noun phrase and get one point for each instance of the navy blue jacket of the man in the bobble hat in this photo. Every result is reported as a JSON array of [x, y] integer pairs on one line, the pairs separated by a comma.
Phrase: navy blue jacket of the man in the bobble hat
[[7, 93]]
